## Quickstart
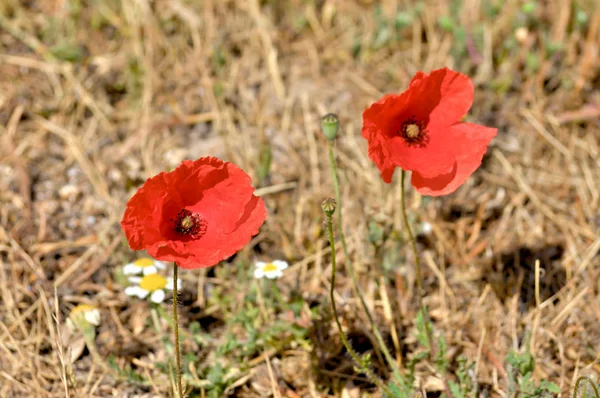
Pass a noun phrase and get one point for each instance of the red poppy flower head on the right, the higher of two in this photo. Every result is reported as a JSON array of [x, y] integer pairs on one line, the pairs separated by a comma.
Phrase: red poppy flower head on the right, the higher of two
[[420, 130]]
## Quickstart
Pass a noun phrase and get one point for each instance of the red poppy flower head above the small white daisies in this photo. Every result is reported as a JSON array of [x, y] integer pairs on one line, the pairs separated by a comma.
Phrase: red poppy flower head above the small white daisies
[[202, 212]]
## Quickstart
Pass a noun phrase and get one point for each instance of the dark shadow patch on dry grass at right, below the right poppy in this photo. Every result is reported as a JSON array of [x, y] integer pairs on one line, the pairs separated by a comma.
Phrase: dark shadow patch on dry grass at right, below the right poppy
[[514, 272]]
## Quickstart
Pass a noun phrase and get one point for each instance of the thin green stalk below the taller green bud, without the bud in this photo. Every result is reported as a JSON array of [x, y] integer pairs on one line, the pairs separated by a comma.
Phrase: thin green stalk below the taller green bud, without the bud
[[338, 198]]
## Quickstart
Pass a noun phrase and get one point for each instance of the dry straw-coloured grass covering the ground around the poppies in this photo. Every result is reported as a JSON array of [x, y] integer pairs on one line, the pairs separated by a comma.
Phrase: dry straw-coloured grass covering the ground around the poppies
[[156, 82]]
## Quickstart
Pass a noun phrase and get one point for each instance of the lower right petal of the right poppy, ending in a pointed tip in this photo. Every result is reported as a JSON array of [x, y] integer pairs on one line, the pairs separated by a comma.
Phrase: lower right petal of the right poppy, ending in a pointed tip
[[468, 142]]
